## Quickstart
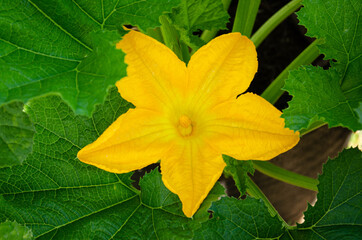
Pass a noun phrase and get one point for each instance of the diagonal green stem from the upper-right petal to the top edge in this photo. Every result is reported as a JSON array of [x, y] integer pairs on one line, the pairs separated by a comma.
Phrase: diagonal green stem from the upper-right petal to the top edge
[[259, 36]]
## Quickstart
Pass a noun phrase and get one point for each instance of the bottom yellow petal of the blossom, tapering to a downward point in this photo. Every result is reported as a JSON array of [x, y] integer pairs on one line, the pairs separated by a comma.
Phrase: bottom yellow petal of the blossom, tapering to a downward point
[[190, 169]]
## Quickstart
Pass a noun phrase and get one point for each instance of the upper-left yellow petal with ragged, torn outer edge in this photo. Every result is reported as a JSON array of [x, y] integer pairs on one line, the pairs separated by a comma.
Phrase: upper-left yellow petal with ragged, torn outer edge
[[155, 75]]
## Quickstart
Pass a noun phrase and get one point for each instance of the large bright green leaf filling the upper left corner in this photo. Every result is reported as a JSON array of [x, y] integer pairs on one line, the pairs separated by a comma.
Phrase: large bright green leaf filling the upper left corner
[[66, 47]]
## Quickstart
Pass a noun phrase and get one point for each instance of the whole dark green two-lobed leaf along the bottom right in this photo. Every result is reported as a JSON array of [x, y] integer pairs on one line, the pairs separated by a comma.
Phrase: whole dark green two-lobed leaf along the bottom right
[[336, 215]]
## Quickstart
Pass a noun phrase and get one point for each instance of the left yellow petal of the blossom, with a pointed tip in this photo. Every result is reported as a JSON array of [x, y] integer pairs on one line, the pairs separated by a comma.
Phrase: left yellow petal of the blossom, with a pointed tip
[[135, 140]]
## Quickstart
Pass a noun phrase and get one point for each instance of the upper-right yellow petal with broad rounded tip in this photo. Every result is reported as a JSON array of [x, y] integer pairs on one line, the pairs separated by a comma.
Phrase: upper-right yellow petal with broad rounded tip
[[223, 68]]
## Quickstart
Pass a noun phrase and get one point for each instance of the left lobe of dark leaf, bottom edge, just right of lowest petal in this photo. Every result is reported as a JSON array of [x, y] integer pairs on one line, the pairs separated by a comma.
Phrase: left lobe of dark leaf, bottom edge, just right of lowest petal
[[240, 219]]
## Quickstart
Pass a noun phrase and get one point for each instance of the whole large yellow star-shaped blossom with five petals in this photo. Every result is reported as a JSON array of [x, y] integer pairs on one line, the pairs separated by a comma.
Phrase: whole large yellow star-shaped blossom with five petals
[[188, 116]]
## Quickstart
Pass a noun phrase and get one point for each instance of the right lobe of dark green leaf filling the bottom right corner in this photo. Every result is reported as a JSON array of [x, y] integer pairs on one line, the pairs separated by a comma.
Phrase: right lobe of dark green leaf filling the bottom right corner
[[338, 210]]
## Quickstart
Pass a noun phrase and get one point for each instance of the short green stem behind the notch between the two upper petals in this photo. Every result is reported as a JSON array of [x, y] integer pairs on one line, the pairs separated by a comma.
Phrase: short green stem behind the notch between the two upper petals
[[172, 40]]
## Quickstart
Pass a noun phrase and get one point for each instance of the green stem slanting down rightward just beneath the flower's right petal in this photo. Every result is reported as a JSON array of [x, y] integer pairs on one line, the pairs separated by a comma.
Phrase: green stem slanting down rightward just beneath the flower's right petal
[[286, 176]]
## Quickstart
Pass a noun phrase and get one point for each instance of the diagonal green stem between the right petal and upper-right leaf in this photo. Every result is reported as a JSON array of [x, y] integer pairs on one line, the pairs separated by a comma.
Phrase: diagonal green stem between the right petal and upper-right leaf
[[274, 90]]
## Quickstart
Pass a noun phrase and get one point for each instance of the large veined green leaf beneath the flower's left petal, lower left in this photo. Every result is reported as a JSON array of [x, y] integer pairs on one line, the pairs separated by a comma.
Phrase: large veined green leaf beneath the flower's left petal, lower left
[[59, 197]]
